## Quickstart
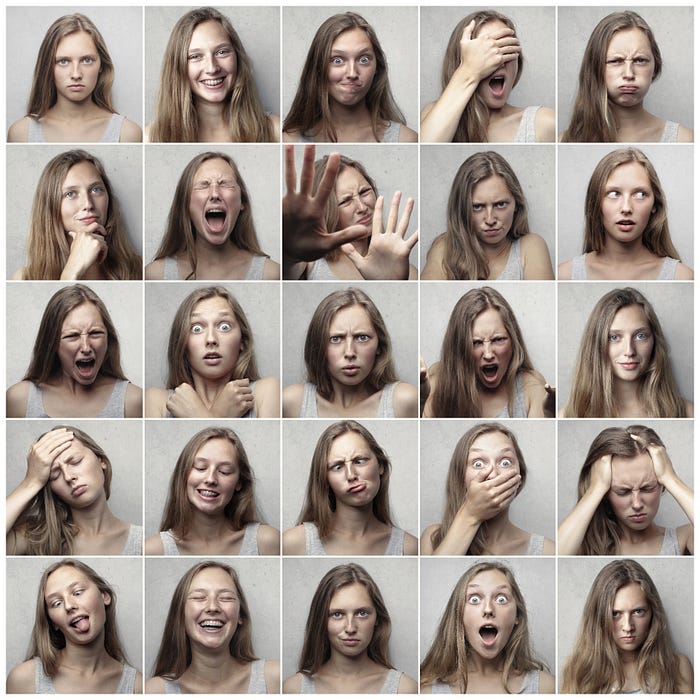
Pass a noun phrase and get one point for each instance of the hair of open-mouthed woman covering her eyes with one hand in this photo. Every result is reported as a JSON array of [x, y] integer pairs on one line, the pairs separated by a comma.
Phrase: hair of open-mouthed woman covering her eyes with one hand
[[474, 122]]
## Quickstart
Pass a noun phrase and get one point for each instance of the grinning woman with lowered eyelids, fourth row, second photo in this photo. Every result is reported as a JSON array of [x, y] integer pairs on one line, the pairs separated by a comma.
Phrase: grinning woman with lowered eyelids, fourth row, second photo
[[211, 506]]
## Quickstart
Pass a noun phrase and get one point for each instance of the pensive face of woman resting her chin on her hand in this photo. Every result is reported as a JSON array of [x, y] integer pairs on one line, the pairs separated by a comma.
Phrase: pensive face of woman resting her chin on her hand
[[84, 199]]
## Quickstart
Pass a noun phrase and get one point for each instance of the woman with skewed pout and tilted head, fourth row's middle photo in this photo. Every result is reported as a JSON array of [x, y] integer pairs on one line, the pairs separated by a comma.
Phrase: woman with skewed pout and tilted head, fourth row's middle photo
[[346, 508]]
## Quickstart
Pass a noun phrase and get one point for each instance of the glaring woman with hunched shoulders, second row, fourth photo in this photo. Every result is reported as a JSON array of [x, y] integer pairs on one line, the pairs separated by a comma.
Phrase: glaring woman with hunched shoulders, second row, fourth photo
[[488, 235]]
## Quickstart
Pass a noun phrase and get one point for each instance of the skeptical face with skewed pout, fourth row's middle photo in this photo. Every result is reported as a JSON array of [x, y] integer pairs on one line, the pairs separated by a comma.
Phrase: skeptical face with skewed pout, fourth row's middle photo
[[353, 472]]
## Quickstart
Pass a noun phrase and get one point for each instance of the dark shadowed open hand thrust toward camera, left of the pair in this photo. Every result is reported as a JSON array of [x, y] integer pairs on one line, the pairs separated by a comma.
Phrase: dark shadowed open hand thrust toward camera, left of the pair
[[304, 234]]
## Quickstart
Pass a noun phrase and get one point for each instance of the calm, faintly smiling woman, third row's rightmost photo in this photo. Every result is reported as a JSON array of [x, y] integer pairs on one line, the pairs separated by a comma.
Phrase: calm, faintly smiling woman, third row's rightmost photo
[[623, 368]]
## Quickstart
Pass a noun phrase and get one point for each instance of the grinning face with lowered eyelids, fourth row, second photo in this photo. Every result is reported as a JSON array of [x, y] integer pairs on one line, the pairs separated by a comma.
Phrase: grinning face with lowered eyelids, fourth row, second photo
[[214, 477]]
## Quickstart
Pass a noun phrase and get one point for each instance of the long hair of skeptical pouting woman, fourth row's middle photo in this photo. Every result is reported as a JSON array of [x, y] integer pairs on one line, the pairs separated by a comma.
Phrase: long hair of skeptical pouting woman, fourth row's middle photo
[[319, 502]]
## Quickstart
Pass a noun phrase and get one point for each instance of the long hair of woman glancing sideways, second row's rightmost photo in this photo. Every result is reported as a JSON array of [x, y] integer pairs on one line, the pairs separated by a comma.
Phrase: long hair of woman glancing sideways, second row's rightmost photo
[[656, 237]]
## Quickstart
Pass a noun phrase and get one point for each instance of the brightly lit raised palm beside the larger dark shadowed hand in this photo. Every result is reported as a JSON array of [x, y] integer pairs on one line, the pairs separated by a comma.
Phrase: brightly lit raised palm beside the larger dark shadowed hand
[[387, 256]]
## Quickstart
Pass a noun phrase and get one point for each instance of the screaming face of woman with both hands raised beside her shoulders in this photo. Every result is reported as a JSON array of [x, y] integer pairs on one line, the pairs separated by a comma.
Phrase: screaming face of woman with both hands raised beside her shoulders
[[492, 349]]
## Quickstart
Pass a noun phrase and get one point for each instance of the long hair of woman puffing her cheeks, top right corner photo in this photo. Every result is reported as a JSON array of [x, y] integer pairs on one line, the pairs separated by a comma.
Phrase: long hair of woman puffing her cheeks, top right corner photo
[[592, 118]]
